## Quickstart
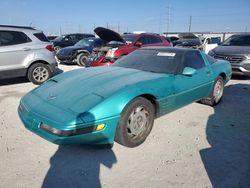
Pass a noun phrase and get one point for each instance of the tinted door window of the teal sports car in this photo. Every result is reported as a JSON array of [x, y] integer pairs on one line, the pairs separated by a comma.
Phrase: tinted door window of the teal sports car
[[194, 60]]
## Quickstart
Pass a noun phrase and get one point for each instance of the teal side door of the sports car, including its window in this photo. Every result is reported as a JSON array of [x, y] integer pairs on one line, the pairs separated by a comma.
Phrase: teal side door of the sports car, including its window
[[190, 88]]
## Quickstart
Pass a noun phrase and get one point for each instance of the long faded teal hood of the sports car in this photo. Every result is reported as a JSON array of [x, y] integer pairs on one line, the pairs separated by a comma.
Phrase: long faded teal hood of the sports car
[[80, 90]]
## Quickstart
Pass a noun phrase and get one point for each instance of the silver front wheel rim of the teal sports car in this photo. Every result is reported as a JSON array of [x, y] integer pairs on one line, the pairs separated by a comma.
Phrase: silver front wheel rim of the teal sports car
[[138, 122]]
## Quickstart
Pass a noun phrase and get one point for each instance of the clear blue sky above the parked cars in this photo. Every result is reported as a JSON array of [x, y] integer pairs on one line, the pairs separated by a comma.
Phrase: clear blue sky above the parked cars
[[55, 17]]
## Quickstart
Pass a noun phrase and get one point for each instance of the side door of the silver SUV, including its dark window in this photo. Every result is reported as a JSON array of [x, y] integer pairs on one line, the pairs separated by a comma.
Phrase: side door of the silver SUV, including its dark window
[[14, 48]]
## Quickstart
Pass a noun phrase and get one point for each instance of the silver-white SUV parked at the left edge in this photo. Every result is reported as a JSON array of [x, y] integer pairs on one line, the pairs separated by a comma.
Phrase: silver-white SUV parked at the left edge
[[25, 51]]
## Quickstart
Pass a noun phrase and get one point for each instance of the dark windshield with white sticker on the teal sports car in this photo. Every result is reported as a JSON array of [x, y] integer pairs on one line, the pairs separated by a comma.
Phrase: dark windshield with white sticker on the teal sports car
[[151, 60]]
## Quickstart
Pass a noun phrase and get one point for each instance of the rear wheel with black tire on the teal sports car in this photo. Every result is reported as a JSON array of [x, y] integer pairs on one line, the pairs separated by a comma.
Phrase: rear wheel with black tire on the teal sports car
[[216, 93]]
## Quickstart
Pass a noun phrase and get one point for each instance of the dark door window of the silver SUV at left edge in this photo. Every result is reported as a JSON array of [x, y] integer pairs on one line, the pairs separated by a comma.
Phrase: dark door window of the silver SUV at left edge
[[8, 38]]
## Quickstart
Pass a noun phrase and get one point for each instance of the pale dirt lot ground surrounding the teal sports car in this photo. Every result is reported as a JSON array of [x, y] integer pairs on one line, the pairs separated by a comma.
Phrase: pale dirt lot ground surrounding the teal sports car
[[196, 146]]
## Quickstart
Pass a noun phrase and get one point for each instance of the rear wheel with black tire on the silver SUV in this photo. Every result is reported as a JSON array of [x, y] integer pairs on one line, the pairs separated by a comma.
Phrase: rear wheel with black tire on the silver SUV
[[38, 73]]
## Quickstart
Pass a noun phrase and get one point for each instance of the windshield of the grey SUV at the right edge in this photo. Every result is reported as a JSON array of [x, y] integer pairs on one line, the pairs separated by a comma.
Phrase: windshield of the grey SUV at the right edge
[[237, 40]]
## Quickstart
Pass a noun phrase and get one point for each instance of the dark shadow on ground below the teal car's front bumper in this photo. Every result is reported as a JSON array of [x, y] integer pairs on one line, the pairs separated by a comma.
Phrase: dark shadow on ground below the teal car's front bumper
[[78, 166]]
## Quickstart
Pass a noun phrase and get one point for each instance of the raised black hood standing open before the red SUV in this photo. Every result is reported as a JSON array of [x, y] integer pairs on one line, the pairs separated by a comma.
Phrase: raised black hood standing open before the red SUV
[[108, 35]]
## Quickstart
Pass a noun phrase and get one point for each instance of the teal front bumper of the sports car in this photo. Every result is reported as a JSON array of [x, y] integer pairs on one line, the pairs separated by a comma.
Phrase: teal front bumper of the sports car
[[69, 134]]
